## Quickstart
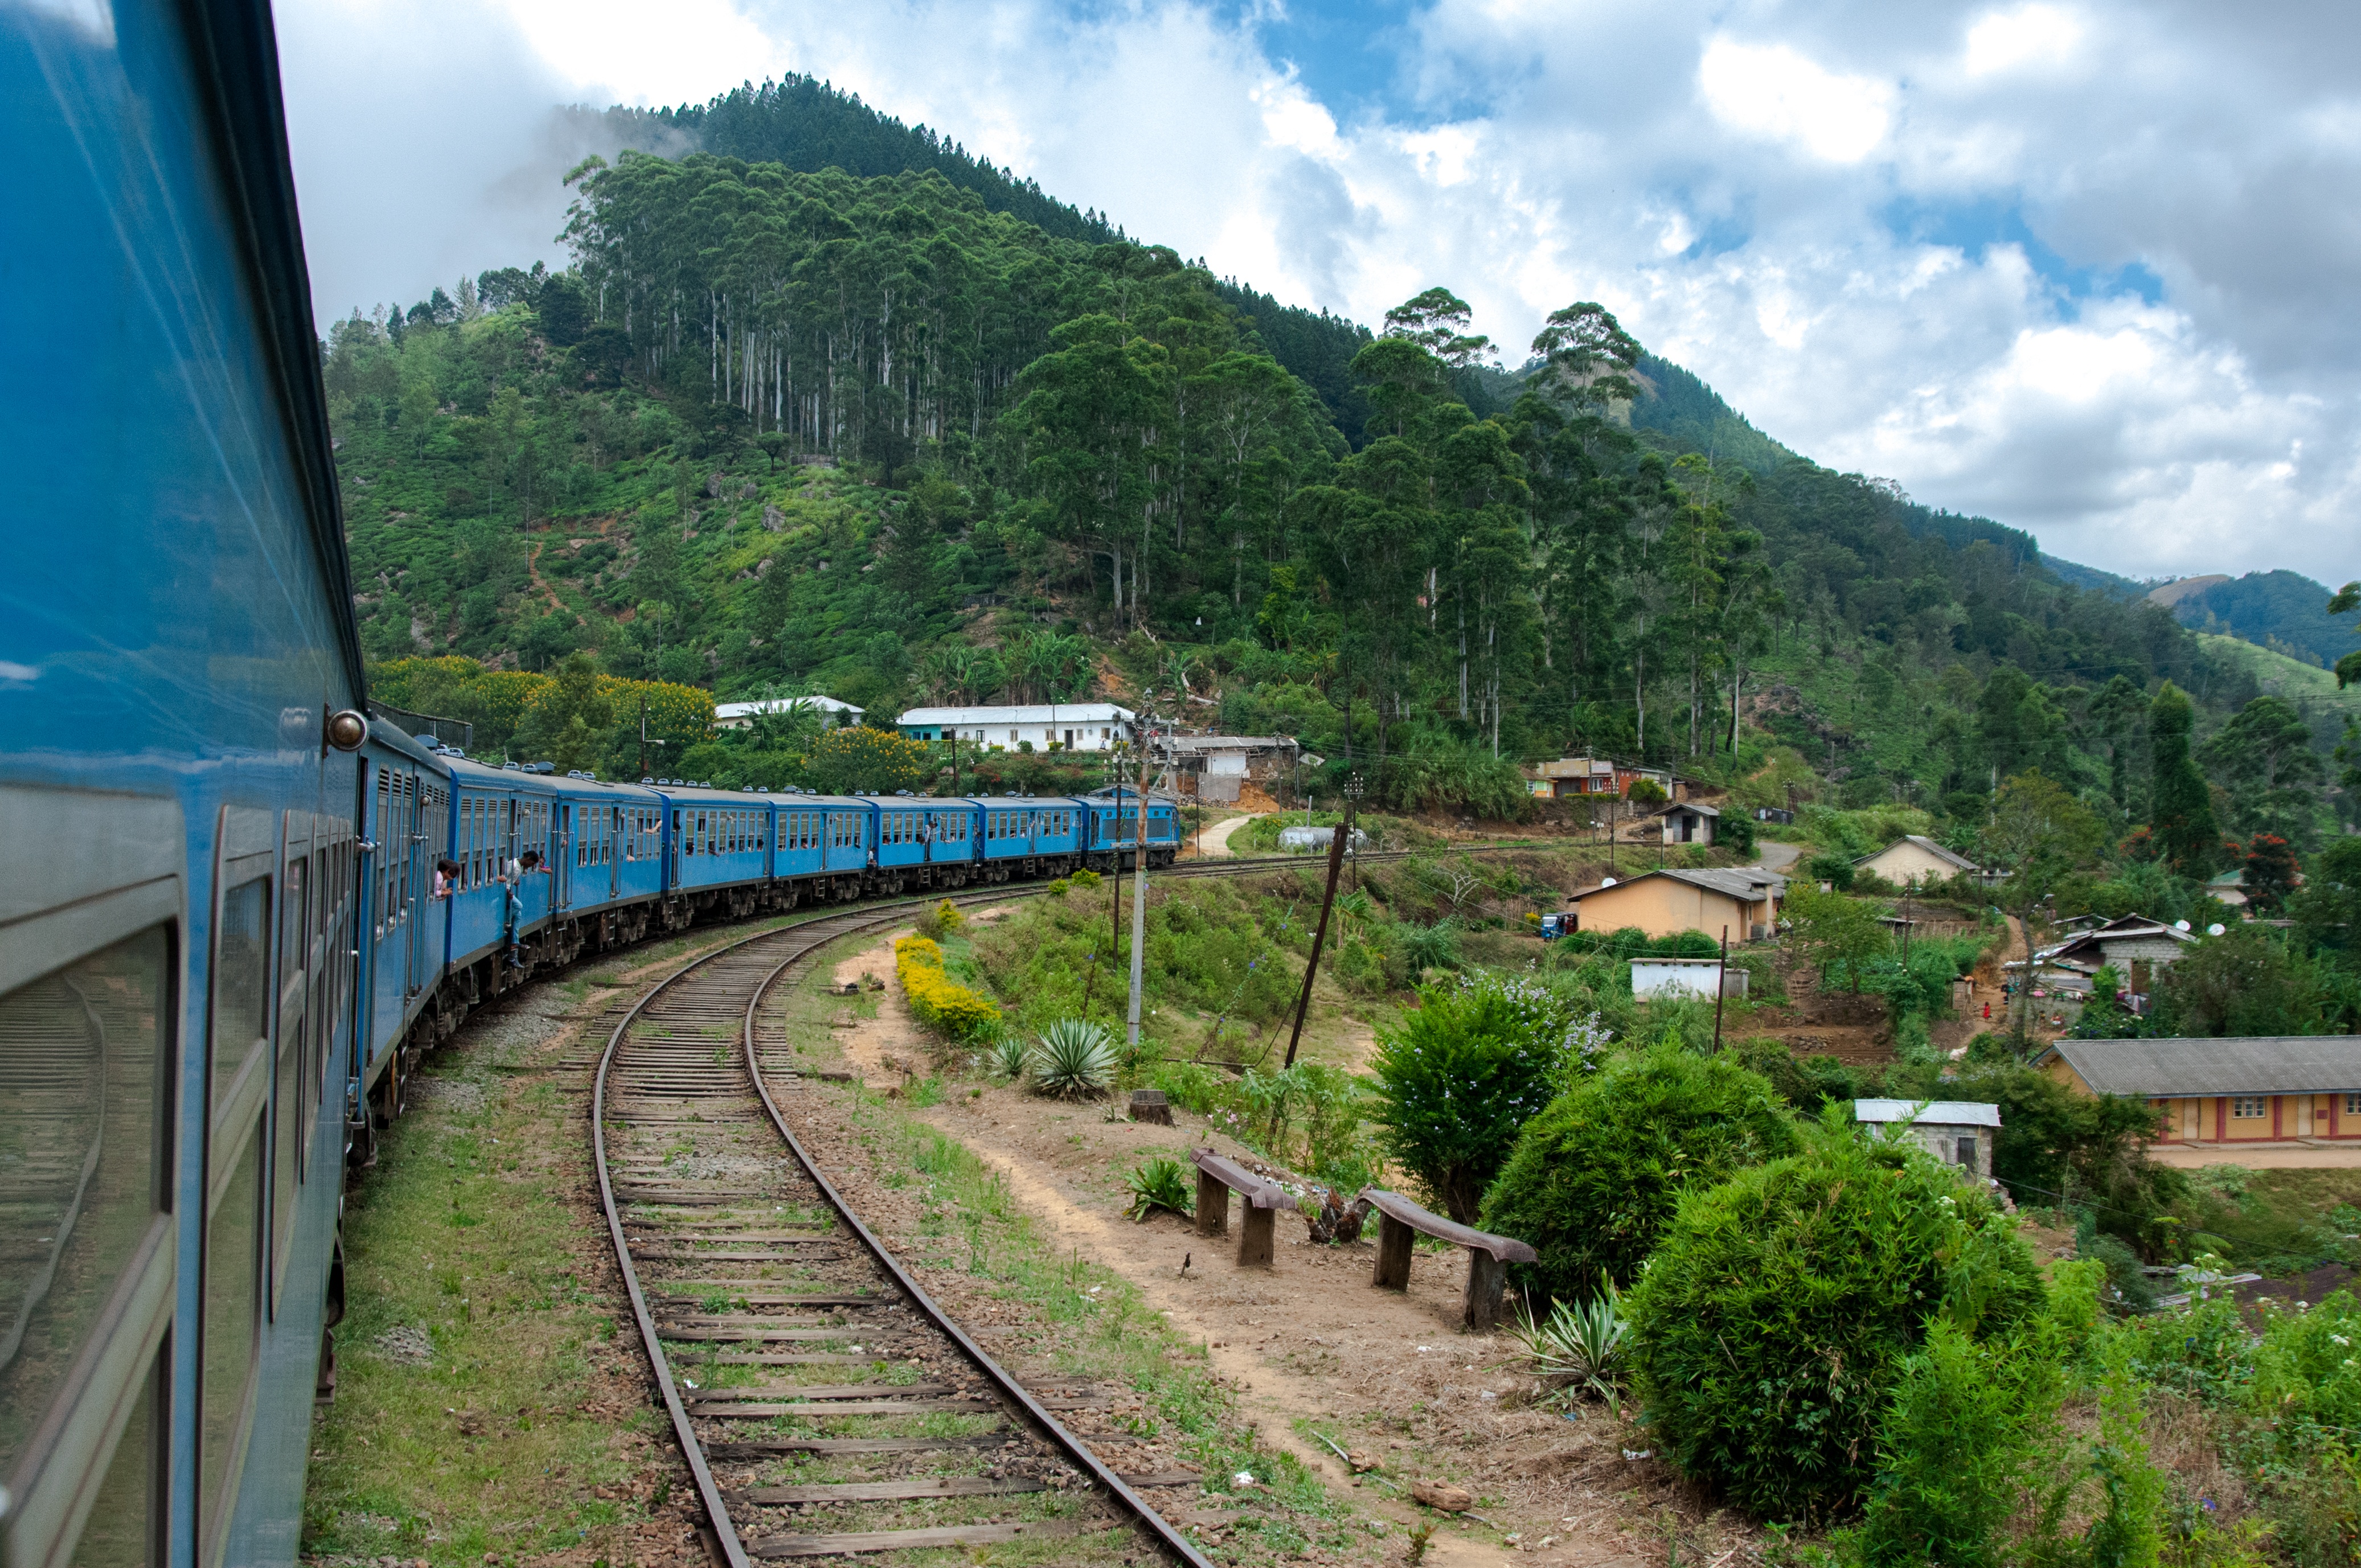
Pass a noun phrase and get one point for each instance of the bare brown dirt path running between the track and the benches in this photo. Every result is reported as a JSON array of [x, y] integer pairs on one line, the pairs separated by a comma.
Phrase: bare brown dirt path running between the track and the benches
[[1309, 1345]]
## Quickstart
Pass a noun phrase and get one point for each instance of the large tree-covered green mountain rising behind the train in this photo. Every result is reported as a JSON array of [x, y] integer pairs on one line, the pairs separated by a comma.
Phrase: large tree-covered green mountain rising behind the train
[[816, 431]]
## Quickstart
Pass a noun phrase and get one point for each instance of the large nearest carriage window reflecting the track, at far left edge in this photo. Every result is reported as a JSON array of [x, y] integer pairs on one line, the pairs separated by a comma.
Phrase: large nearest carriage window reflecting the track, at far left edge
[[84, 1097]]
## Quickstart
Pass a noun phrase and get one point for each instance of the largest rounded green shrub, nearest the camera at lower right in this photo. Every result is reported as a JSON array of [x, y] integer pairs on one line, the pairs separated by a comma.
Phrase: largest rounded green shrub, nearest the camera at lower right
[[1774, 1321]]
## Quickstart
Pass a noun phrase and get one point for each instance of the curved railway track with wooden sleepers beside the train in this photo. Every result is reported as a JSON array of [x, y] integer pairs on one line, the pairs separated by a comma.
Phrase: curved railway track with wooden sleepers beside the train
[[809, 1378]]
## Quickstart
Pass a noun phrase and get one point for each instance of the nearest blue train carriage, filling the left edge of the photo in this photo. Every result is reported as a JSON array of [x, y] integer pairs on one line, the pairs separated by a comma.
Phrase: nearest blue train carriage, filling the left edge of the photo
[[181, 804]]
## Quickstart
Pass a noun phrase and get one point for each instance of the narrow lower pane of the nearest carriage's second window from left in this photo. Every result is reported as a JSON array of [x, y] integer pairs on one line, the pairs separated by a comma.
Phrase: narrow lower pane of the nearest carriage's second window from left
[[233, 1328]]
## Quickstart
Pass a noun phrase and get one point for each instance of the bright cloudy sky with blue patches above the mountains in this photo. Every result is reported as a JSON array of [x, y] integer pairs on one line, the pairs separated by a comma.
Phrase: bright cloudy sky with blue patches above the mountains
[[2079, 266]]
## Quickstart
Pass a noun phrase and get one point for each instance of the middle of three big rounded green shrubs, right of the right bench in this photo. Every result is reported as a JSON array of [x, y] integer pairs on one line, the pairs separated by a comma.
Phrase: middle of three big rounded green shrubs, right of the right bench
[[1595, 1180]]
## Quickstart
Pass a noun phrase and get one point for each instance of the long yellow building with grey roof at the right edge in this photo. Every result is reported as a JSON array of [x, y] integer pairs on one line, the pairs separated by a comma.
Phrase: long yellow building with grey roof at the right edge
[[2263, 1102]]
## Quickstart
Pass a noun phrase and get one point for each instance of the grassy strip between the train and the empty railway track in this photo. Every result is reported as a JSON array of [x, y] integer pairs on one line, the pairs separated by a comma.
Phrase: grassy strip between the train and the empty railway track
[[473, 1413]]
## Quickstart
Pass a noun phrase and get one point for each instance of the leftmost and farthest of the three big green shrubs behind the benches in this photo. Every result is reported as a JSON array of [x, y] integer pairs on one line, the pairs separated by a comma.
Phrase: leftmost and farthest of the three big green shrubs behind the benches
[[1460, 1078]]
